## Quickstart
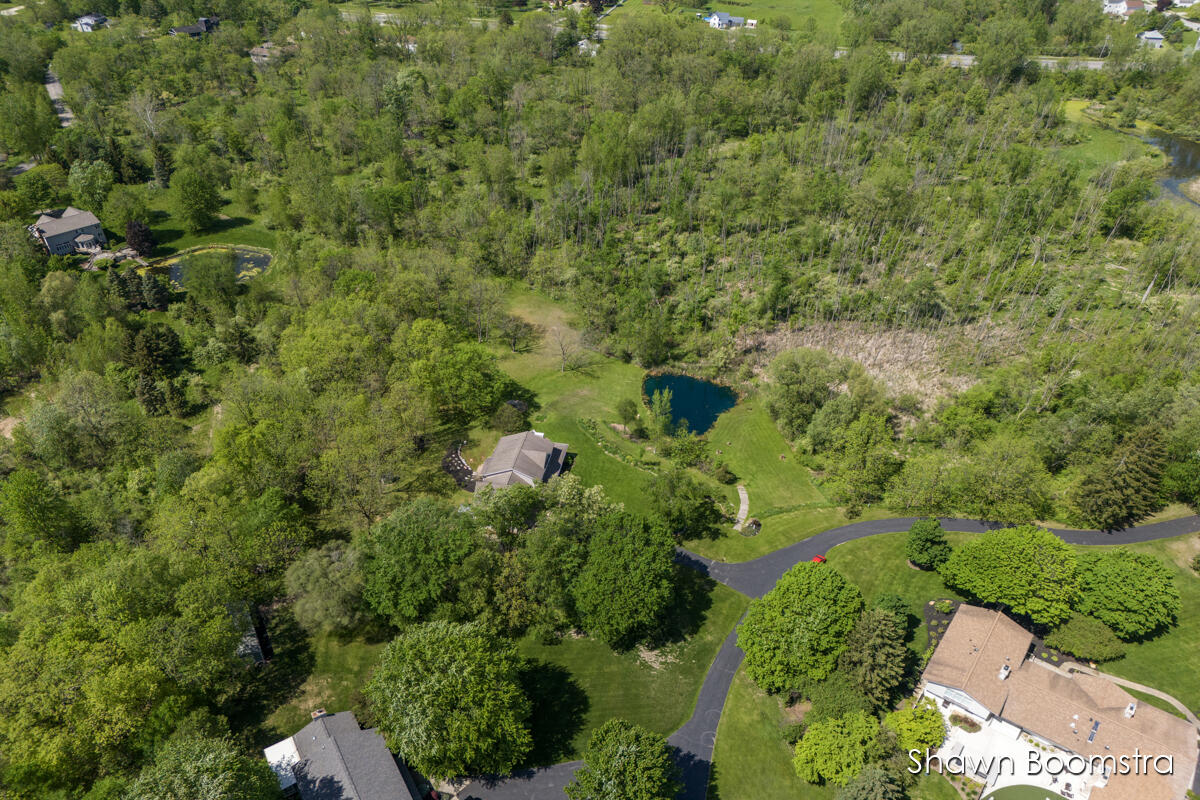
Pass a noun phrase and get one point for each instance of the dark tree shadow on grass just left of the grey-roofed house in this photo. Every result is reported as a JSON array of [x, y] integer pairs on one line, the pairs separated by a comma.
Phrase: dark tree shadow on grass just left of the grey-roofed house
[[266, 688]]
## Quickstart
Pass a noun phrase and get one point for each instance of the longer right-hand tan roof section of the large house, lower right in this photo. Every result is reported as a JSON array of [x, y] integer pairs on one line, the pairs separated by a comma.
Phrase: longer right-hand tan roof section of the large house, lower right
[[1087, 715]]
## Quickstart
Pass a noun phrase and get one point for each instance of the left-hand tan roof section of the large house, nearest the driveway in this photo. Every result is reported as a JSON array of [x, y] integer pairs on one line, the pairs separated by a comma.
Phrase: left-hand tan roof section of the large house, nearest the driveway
[[974, 652]]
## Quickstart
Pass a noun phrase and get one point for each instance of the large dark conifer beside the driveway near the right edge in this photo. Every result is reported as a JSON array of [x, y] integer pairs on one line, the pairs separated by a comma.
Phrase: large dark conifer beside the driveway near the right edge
[[1127, 488]]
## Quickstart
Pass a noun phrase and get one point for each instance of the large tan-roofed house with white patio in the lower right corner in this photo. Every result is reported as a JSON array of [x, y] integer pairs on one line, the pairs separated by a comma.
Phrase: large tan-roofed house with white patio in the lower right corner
[[1031, 711]]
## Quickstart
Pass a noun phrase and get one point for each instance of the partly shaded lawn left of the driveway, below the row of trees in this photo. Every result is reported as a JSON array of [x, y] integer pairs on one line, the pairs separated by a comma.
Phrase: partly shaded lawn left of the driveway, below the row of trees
[[585, 683]]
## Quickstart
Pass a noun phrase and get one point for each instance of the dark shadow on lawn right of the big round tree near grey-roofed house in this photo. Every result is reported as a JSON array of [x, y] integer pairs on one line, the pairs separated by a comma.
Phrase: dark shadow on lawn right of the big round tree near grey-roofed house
[[560, 706]]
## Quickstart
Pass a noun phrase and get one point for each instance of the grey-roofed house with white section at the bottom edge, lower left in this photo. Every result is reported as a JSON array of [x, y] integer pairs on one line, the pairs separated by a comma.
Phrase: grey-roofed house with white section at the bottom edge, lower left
[[333, 759]]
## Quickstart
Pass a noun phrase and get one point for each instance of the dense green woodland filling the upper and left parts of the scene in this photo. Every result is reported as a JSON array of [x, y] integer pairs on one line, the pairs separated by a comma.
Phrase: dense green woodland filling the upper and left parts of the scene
[[185, 455]]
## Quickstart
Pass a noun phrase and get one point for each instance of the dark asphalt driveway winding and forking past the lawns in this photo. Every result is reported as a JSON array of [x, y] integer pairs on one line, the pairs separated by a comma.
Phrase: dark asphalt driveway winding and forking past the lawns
[[694, 742]]
